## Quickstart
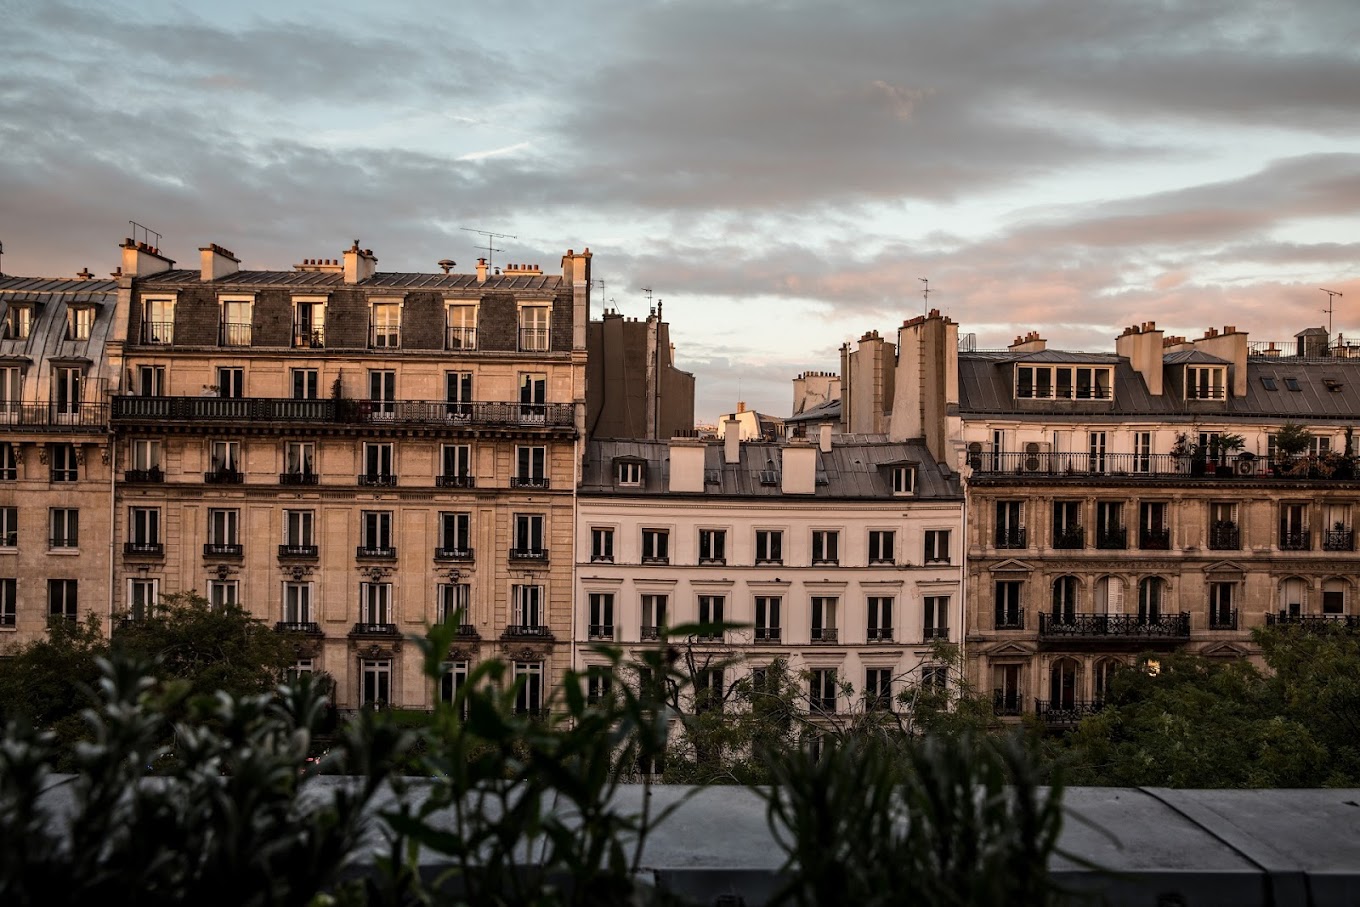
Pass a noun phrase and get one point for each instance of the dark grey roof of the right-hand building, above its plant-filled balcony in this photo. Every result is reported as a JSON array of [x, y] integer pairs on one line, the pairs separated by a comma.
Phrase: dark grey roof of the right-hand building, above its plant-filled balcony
[[985, 388]]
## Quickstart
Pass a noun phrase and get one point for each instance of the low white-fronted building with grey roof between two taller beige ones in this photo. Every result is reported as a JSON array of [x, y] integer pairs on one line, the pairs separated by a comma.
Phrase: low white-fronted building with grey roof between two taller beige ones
[[843, 557]]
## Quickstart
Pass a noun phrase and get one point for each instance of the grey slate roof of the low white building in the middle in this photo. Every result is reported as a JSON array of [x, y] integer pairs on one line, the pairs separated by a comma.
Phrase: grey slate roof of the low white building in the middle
[[855, 471]]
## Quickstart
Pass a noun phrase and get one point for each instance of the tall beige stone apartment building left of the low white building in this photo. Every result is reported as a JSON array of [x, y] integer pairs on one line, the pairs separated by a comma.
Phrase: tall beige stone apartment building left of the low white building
[[353, 455]]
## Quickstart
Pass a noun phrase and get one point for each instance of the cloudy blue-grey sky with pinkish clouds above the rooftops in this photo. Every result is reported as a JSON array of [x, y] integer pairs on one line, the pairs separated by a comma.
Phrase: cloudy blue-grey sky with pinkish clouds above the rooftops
[[780, 173]]
